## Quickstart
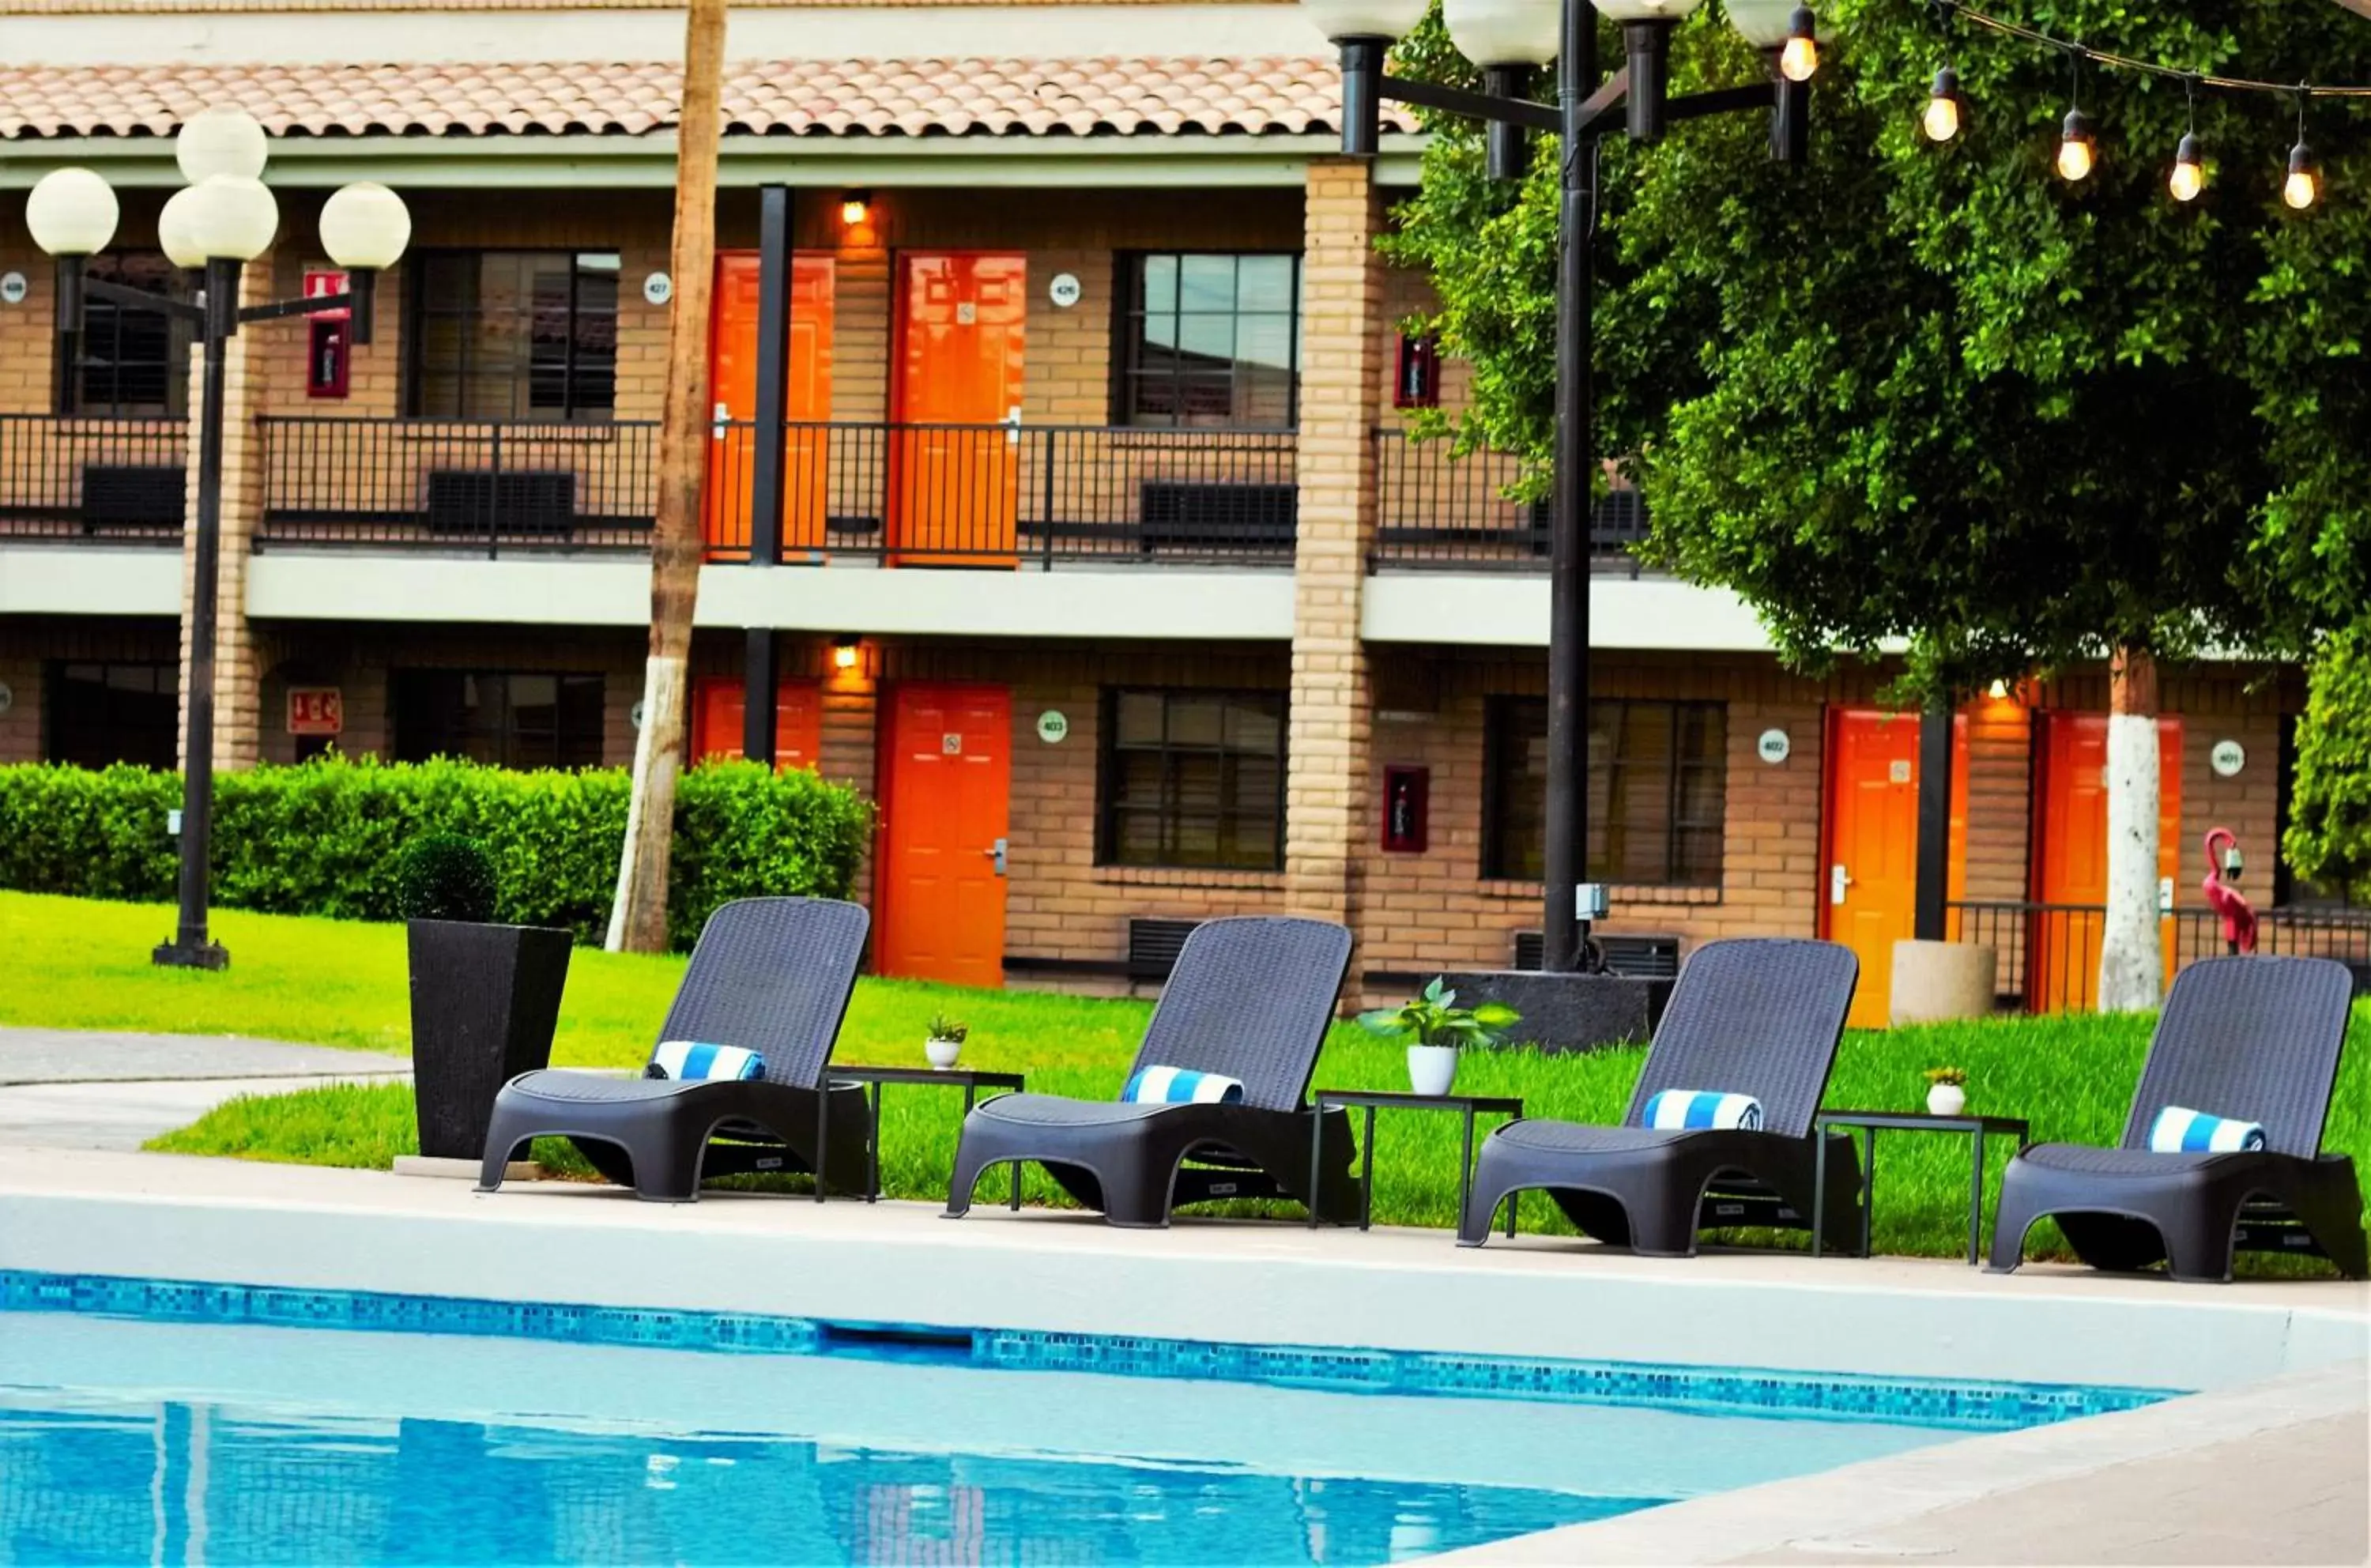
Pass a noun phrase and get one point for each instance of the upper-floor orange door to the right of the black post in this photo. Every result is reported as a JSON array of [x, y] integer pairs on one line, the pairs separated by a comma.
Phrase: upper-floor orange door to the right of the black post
[[959, 404]]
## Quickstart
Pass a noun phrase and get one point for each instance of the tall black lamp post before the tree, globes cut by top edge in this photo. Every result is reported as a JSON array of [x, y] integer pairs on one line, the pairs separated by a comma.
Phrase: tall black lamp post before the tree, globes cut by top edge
[[1507, 39]]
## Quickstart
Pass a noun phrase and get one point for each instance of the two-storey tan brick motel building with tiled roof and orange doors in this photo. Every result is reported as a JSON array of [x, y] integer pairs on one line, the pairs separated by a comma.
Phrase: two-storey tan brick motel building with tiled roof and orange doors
[[1106, 566]]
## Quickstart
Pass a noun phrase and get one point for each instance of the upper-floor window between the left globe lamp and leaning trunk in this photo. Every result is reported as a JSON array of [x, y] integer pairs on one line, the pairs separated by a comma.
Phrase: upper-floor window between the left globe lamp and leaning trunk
[[513, 336]]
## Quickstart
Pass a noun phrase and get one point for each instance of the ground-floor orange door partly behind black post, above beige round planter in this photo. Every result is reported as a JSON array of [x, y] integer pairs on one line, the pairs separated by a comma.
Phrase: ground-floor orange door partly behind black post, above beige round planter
[[1872, 865]]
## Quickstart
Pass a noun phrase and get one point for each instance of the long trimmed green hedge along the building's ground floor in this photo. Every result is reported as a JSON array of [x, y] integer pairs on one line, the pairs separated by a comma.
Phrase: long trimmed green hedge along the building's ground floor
[[324, 839]]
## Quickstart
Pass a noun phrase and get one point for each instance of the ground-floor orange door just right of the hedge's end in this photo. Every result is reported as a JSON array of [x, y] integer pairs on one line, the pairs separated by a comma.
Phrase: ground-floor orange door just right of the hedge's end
[[947, 772]]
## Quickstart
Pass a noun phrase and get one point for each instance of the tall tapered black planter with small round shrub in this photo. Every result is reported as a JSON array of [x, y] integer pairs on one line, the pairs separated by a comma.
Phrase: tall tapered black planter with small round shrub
[[485, 997]]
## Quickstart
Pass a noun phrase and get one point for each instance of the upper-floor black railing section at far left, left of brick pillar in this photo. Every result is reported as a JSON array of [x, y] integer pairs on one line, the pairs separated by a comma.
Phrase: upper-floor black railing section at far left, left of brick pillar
[[94, 478]]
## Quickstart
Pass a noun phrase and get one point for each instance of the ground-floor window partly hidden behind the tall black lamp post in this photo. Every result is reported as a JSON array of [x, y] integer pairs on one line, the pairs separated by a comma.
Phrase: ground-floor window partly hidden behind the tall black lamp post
[[1656, 779]]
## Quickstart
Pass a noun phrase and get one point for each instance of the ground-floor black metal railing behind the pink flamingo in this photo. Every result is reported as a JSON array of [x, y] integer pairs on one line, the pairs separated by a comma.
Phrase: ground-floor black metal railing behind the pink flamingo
[[2050, 952]]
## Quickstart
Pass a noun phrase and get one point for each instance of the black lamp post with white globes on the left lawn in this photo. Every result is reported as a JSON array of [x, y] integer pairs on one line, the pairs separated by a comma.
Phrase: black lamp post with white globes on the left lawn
[[215, 227]]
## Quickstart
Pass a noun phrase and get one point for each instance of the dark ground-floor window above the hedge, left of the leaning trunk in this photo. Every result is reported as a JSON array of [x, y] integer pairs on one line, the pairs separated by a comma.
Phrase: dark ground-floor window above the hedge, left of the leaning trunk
[[511, 720]]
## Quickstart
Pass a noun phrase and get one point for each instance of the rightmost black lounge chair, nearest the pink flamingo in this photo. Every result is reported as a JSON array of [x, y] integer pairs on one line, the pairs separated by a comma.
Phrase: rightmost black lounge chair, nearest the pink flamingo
[[2242, 1038]]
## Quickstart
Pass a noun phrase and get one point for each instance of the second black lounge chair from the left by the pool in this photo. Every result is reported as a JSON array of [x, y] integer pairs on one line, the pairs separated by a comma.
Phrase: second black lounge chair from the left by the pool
[[1251, 1000]]
